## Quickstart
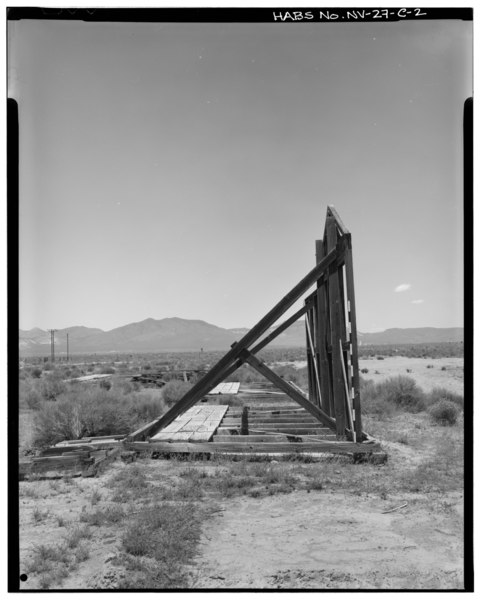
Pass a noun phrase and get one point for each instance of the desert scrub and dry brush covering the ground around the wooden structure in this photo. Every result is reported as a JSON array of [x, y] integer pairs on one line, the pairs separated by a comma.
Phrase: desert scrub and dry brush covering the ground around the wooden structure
[[153, 511]]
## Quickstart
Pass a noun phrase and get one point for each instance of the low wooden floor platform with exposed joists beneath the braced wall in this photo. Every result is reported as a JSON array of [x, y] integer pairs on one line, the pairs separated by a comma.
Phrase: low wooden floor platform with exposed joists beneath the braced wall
[[276, 426]]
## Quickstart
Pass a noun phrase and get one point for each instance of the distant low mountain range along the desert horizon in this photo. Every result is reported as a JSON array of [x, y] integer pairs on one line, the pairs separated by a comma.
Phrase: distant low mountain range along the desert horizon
[[183, 335]]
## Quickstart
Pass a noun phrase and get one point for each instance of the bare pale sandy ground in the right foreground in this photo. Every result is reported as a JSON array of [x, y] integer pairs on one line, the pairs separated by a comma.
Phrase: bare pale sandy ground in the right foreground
[[331, 540]]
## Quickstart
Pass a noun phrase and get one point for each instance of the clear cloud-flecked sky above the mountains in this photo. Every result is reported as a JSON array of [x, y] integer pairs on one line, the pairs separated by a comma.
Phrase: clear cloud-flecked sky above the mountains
[[185, 169]]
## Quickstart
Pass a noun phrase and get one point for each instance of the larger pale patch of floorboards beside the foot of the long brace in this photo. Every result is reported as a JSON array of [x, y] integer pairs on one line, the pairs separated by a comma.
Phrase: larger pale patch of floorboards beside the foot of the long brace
[[198, 424]]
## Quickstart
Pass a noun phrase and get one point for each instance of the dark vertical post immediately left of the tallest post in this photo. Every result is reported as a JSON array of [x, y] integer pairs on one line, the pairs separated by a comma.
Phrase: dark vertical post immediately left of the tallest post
[[321, 337]]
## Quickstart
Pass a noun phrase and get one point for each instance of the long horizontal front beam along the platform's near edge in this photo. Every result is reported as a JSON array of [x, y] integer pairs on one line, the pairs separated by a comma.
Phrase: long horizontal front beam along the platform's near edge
[[289, 447]]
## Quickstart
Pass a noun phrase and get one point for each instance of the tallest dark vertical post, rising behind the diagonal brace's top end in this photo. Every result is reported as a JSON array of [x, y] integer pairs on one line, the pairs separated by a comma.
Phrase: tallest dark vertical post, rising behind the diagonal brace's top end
[[335, 314]]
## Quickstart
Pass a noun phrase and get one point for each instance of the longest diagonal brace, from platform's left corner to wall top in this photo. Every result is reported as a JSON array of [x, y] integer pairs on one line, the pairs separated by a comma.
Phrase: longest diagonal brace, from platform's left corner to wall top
[[217, 373]]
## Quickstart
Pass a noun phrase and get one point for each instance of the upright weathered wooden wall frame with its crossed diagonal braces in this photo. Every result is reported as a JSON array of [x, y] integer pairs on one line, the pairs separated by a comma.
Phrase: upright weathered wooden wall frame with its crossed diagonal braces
[[331, 340]]
